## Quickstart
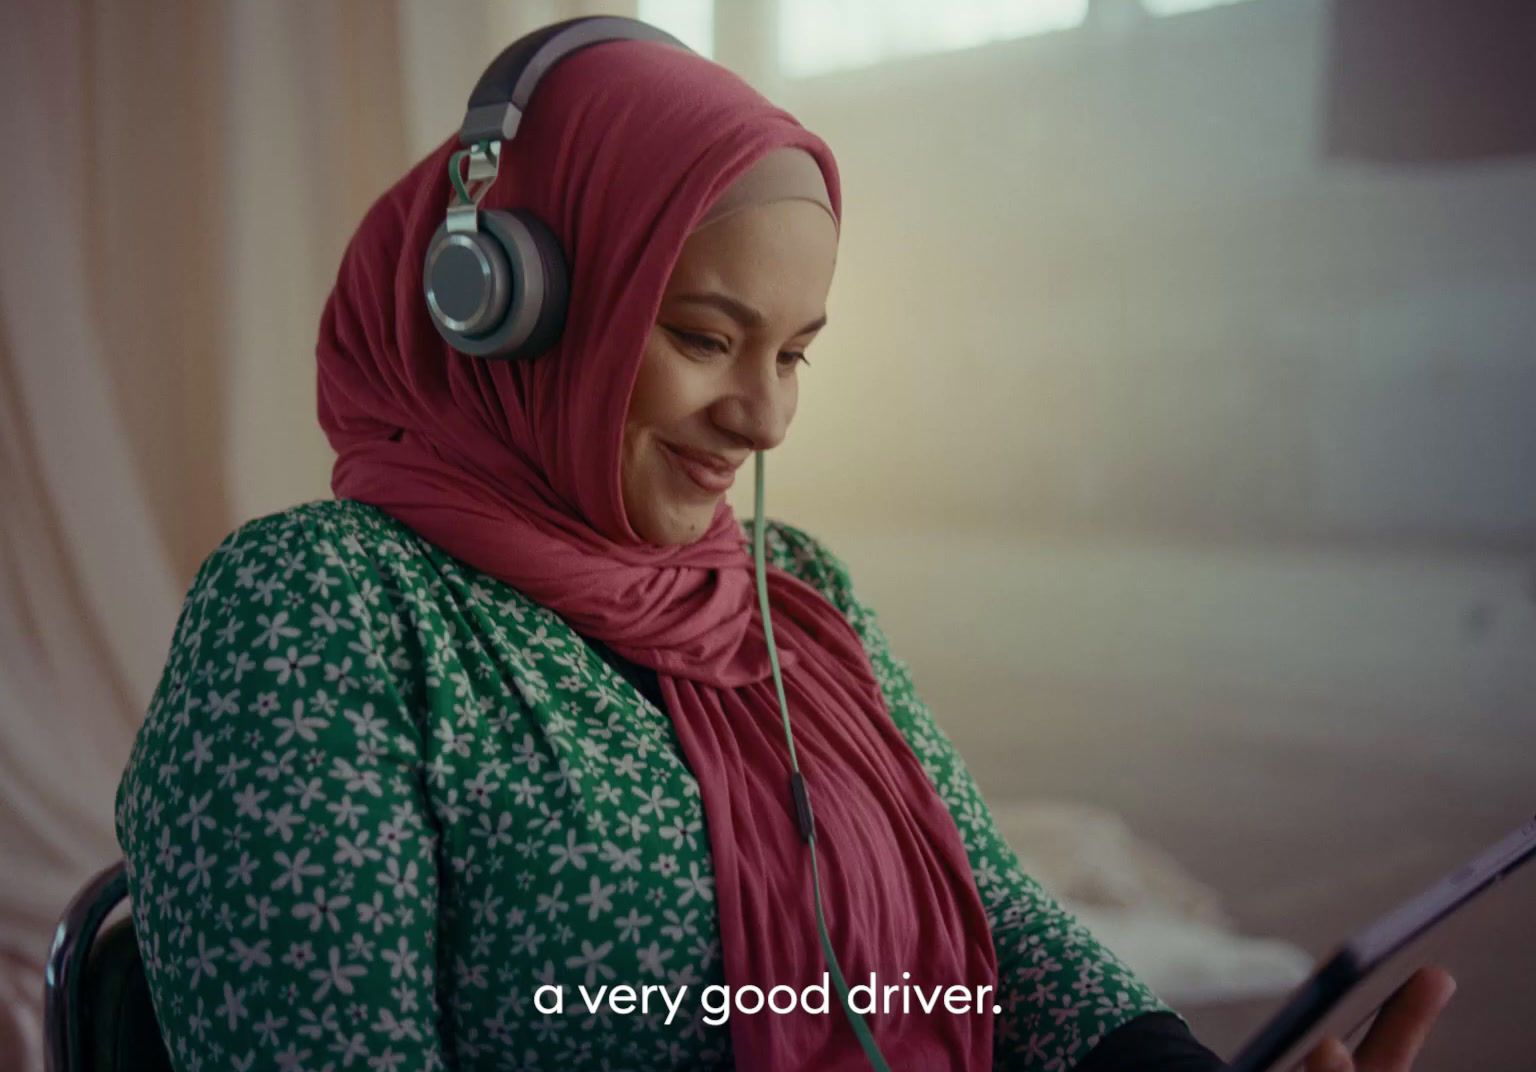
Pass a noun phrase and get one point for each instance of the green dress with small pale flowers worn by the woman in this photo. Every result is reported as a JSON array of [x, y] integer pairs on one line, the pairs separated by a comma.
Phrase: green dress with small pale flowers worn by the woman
[[382, 798]]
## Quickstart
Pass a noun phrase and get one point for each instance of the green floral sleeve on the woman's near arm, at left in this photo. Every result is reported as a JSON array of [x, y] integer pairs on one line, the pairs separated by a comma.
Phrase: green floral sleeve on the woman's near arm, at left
[[280, 855]]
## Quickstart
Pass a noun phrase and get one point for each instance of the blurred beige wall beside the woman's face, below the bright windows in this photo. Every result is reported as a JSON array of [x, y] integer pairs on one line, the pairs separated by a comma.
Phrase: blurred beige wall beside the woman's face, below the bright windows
[[1107, 280]]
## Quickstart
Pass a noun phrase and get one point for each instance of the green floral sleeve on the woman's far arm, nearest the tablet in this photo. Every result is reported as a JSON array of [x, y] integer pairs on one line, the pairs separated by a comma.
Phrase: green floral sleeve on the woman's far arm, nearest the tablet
[[1062, 991]]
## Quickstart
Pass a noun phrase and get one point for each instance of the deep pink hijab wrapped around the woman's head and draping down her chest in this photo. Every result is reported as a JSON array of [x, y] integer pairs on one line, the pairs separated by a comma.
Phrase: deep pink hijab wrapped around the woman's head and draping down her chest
[[514, 468]]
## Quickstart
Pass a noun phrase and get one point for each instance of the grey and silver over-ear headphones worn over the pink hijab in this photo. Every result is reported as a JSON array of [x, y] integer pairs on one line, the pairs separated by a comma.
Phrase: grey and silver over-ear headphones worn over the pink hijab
[[497, 282]]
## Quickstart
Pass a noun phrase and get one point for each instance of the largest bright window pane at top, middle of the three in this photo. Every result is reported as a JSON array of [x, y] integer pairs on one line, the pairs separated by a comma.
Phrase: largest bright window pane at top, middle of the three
[[824, 36]]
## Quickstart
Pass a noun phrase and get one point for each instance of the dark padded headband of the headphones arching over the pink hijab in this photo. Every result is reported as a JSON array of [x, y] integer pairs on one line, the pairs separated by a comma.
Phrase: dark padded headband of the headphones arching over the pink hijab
[[503, 93]]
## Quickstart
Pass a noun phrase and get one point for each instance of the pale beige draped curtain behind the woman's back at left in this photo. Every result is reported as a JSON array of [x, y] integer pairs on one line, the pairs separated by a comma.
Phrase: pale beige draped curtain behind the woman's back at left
[[180, 182]]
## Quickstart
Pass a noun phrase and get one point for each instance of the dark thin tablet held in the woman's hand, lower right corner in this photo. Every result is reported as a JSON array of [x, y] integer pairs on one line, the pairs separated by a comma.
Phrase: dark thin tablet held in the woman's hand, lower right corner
[[1351, 985]]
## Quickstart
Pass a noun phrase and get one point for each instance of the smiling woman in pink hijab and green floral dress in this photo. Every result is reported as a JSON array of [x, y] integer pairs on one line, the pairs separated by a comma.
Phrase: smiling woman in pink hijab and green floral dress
[[497, 726]]
